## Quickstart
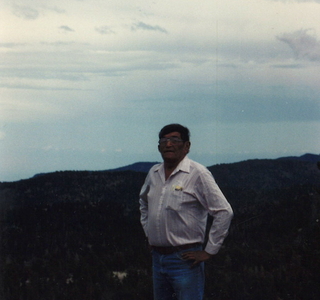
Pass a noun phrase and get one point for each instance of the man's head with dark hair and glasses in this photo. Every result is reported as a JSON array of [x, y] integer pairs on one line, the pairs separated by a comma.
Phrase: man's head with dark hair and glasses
[[174, 143]]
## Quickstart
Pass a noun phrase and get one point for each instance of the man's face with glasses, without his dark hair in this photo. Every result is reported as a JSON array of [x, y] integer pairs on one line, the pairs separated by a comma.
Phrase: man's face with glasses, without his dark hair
[[172, 151]]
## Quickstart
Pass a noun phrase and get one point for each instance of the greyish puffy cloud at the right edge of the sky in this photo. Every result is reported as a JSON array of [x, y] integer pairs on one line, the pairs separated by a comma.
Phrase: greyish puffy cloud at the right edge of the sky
[[304, 45]]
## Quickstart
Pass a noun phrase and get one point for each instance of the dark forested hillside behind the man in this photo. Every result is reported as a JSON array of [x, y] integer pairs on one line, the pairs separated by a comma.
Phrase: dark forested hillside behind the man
[[76, 235]]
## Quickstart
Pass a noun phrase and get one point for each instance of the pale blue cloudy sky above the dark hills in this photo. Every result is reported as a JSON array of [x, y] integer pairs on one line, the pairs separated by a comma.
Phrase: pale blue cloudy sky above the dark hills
[[88, 84]]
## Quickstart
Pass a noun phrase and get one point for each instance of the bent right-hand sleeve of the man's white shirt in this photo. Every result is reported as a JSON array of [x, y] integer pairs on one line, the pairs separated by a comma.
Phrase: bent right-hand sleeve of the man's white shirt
[[217, 206]]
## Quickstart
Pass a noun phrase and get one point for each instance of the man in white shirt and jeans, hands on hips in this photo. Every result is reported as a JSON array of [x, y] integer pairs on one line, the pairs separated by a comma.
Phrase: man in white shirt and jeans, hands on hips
[[174, 202]]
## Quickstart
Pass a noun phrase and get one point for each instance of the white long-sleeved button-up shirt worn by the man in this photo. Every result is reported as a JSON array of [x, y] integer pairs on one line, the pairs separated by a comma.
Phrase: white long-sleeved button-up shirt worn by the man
[[174, 211]]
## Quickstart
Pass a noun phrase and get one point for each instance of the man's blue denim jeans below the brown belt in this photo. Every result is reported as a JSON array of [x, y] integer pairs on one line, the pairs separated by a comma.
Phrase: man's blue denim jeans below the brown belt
[[175, 279]]
